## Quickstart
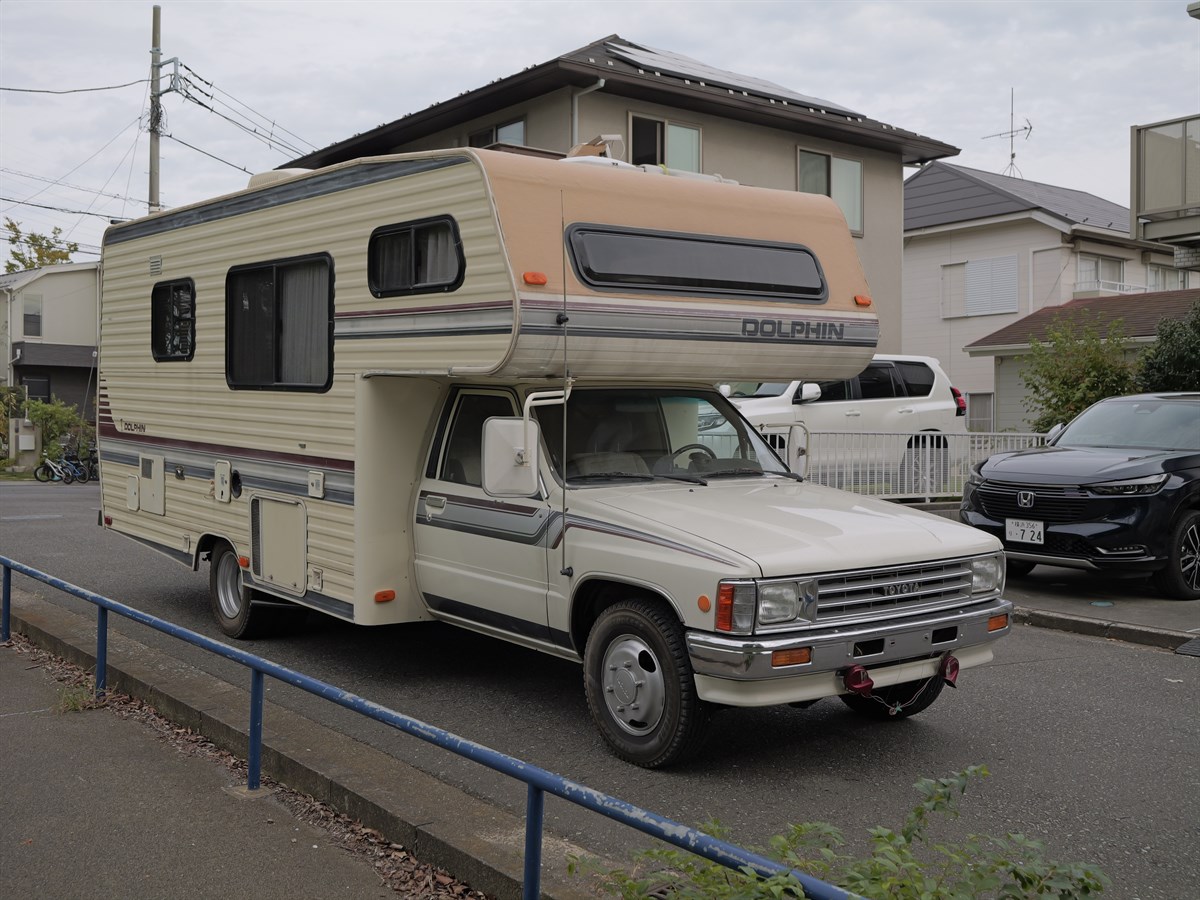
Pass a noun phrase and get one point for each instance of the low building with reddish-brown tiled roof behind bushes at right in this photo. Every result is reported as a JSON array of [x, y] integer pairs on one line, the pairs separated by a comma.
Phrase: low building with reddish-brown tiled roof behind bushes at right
[[1006, 350]]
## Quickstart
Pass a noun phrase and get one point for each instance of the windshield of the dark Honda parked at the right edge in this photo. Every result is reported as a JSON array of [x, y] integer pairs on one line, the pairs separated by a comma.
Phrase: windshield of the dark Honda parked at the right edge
[[1150, 424]]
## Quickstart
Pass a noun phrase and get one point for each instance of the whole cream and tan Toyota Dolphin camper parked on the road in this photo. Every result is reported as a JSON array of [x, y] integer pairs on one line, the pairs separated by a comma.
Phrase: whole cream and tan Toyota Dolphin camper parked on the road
[[477, 387]]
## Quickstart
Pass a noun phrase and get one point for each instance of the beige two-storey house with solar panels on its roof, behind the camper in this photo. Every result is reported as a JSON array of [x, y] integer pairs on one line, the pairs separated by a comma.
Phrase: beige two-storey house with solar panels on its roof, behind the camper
[[674, 111]]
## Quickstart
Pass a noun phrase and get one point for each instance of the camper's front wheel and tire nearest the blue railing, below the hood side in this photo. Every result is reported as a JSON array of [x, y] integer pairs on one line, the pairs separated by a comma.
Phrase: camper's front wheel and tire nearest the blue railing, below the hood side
[[640, 686]]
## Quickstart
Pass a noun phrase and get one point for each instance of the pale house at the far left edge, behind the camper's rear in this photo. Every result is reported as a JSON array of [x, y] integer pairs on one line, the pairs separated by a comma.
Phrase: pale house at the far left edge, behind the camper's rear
[[49, 333]]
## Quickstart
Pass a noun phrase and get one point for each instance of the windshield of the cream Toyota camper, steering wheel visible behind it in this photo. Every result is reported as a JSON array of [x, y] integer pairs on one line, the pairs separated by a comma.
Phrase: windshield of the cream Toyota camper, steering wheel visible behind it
[[649, 434]]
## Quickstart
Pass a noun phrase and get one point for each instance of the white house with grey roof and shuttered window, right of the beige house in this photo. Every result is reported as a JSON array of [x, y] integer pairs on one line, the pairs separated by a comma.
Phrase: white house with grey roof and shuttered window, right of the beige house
[[983, 250]]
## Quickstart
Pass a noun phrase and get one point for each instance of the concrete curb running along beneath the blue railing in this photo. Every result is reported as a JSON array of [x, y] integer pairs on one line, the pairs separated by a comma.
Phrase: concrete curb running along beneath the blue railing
[[440, 825]]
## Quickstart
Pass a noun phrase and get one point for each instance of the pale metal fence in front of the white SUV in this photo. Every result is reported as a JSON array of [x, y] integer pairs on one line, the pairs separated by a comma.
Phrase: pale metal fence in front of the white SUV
[[893, 465]]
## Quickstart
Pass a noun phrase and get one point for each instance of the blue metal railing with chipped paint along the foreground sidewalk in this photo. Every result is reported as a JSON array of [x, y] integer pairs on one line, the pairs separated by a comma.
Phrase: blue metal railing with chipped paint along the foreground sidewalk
[[538, 781]]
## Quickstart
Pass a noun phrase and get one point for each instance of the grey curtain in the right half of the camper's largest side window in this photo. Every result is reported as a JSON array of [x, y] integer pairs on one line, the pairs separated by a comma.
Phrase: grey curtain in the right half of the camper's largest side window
[[304, 325]]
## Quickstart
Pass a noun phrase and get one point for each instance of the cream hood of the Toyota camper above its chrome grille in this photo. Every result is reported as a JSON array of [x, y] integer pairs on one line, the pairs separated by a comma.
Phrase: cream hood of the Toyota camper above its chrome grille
[[788, 527]]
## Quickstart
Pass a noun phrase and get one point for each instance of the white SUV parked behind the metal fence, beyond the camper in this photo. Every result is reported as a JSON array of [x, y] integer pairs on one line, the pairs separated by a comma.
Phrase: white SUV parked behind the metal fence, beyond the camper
[[893, 395]]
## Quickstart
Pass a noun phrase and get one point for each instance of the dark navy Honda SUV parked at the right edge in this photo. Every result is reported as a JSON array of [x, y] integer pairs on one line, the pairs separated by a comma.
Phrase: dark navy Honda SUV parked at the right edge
[[1118, 490]]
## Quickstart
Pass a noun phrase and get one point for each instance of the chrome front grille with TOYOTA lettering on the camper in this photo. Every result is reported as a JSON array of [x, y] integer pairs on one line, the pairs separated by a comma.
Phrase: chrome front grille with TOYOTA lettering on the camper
[[899, 591]]
